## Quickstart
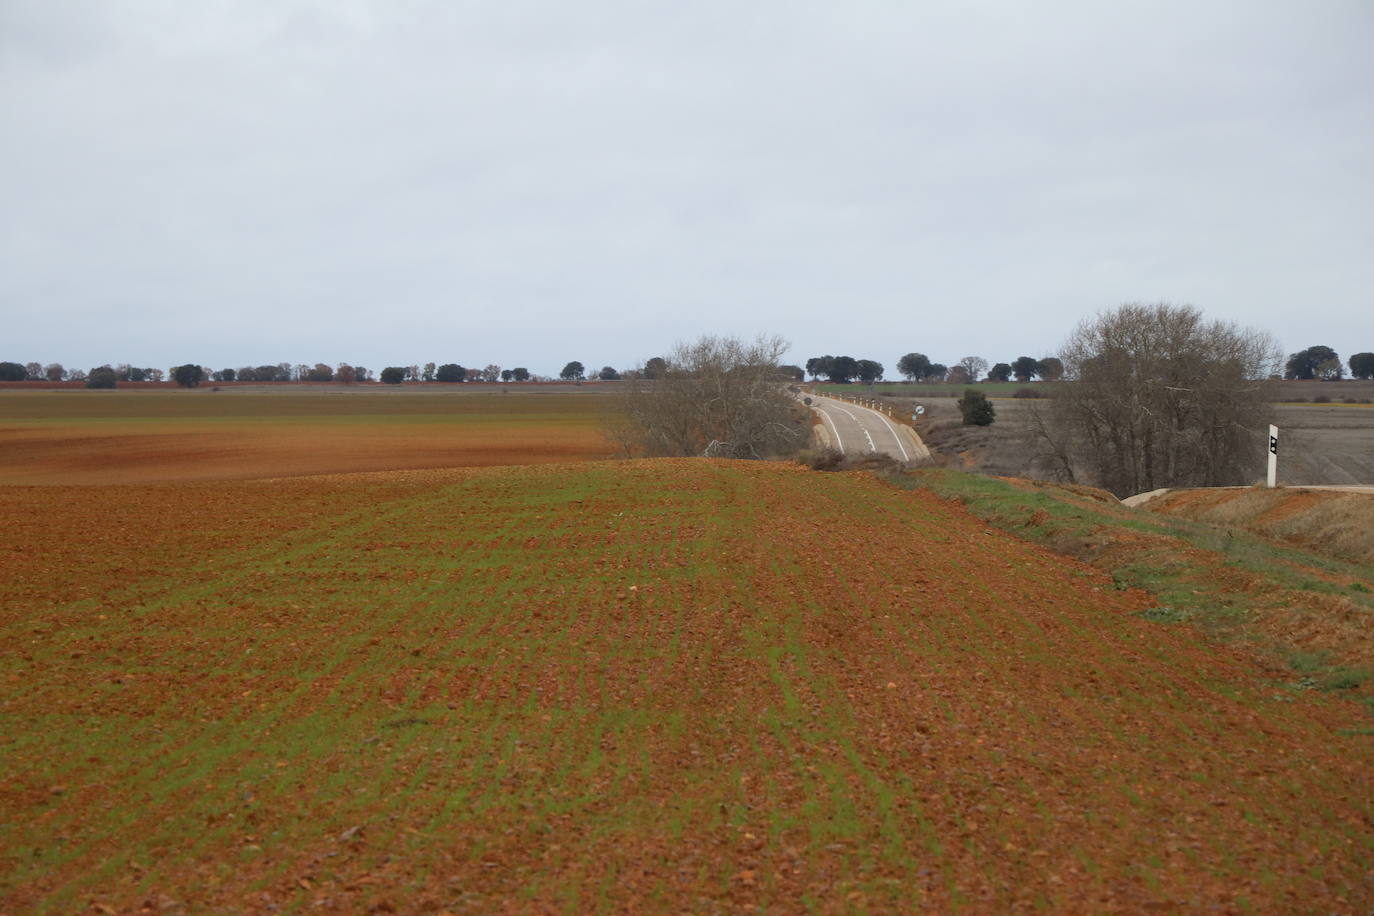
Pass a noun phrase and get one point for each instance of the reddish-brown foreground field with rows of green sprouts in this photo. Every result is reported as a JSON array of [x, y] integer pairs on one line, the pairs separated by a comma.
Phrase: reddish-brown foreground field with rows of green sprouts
[[667, 686]]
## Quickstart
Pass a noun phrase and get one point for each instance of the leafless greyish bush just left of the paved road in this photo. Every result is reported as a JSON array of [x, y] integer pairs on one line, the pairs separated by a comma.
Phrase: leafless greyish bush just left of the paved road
[[719, 398]]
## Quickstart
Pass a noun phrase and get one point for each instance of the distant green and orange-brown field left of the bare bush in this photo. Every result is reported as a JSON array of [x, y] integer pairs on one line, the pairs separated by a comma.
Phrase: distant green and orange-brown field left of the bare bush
[[145, 436]]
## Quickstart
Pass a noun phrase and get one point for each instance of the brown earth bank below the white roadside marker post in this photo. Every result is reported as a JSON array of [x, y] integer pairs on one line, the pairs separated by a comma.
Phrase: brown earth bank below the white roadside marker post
[[1333, 523]]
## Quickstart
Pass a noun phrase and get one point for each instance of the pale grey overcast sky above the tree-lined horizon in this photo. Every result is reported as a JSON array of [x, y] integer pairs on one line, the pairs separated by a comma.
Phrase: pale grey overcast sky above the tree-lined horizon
[[531, 182]]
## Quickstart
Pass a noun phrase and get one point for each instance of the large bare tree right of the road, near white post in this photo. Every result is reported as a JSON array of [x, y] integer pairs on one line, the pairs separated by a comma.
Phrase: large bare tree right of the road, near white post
[[1162, 398]]
